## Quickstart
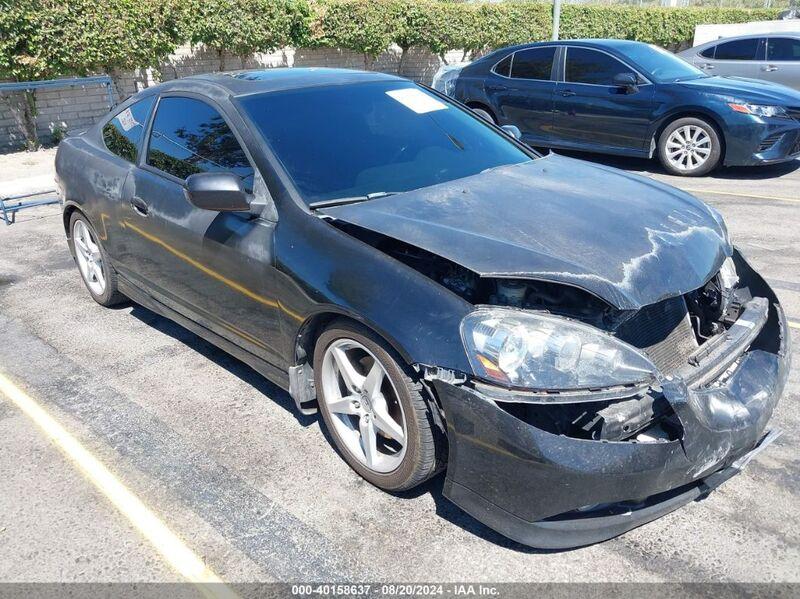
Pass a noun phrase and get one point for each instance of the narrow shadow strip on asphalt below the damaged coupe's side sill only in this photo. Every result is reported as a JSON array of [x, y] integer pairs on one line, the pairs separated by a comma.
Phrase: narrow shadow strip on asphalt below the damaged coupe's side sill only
[[220, 358]]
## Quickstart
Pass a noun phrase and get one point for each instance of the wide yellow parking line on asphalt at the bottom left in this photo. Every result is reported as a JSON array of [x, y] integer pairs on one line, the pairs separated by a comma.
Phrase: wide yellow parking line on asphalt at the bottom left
[[182, 559]]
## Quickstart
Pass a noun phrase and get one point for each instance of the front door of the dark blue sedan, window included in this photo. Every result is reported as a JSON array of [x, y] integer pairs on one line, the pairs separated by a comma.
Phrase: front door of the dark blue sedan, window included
[[592, 113]]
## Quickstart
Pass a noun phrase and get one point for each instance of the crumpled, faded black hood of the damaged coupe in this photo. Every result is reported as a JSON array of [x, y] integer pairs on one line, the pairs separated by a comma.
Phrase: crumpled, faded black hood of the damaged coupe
[[629, 240]]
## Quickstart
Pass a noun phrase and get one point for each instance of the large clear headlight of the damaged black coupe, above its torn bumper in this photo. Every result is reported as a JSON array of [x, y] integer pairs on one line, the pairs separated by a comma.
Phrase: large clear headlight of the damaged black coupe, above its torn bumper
[[540, 351]]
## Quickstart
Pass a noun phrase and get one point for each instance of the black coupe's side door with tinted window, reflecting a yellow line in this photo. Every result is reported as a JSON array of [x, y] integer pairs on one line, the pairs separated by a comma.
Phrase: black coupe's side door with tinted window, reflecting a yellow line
[[212, 267]]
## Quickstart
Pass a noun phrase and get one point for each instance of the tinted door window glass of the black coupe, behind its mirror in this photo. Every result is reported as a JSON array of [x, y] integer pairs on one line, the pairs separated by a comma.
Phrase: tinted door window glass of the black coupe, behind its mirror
[[190, 137]]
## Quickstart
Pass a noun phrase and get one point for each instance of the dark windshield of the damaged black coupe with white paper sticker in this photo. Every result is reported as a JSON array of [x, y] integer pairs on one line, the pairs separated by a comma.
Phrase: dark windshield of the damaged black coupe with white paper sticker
[[374, 138]]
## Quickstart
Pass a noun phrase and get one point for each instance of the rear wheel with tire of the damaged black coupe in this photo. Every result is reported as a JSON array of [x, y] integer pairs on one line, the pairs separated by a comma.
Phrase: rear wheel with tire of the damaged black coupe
[[96, 271]]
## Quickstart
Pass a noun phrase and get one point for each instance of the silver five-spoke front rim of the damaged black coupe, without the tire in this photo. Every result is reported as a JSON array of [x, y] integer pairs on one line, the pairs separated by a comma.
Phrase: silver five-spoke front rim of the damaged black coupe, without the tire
[[365, 407]]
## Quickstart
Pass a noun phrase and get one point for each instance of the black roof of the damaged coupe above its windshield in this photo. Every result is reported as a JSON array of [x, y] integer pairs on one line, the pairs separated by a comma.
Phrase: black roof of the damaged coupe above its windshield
[[279, 79]]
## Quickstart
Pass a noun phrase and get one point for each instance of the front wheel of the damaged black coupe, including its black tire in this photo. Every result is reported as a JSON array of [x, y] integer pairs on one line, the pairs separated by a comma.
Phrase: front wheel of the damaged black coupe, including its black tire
[[373, 408]]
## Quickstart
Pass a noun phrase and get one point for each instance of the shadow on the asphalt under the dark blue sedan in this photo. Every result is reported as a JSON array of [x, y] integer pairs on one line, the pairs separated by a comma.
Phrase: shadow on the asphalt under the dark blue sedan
[[643, 165]]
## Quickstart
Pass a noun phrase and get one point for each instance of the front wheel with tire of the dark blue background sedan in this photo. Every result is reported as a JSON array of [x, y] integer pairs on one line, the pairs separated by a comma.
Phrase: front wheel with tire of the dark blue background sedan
[[690, 147]]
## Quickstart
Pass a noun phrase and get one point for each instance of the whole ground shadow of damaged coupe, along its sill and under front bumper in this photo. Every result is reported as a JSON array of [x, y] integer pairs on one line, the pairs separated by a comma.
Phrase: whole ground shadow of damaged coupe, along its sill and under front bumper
[[435, 486]]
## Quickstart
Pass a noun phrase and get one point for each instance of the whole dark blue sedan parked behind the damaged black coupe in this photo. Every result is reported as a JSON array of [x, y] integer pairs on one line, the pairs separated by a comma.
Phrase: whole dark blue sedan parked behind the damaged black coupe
[[632, 99]]
